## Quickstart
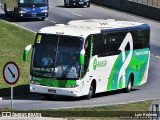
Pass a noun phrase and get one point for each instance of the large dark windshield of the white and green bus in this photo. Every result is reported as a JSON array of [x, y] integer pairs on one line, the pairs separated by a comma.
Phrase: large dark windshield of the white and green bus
[[56, 56]]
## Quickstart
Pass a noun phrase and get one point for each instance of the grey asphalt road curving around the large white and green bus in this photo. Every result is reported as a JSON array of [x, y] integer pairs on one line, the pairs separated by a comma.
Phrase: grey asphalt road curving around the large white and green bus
[[60, 14]]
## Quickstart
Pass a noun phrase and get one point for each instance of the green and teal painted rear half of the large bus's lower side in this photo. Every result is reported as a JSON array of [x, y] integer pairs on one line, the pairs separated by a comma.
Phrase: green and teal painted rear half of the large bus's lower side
[[138, 66]]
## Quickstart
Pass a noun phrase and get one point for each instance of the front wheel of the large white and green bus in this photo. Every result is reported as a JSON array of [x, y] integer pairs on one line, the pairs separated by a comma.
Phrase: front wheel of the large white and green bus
[[92, 89]]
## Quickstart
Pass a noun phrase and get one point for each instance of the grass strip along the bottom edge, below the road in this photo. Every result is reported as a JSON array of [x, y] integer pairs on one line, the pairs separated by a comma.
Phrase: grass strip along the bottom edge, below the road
[[111, 112]]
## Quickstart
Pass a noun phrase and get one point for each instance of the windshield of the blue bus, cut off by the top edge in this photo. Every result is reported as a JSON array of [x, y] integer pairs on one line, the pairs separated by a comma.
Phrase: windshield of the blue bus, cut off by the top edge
[[33, 2]]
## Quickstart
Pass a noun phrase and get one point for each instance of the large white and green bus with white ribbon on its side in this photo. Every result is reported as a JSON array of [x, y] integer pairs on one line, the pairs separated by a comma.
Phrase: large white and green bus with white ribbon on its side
[[85, 57]]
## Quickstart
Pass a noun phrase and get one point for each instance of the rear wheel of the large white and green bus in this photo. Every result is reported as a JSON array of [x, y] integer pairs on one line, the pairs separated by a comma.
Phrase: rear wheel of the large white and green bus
[[130, 83]]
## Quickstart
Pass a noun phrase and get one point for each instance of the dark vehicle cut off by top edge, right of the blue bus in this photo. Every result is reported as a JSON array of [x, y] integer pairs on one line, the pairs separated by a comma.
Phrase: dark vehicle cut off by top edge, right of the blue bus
[[72, 3]]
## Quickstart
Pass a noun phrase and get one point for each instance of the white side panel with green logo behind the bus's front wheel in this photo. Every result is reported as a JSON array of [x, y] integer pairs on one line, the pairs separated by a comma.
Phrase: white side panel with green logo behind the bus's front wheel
[[100, 69]]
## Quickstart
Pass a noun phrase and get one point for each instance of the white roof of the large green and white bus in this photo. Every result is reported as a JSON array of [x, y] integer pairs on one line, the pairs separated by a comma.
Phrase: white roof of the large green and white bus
[[83, 28]]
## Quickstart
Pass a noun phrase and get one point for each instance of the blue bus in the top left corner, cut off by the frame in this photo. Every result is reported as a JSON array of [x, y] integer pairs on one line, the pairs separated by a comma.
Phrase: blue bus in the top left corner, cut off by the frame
[[26, 8]]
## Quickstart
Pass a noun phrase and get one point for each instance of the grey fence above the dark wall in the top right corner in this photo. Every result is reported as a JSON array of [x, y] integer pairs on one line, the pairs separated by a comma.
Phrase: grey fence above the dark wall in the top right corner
[[153, 3]]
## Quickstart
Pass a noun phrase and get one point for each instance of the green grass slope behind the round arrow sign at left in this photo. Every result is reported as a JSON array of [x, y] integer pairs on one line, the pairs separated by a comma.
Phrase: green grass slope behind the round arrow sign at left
[[13, 40]]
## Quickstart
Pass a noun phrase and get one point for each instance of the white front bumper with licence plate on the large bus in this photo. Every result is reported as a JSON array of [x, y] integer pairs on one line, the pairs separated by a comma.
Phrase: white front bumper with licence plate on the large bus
[[55, 90]]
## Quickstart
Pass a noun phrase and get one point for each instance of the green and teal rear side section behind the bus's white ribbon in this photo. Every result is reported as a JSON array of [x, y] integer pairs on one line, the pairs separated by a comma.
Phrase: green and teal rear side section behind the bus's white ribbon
[[138, 66]]
